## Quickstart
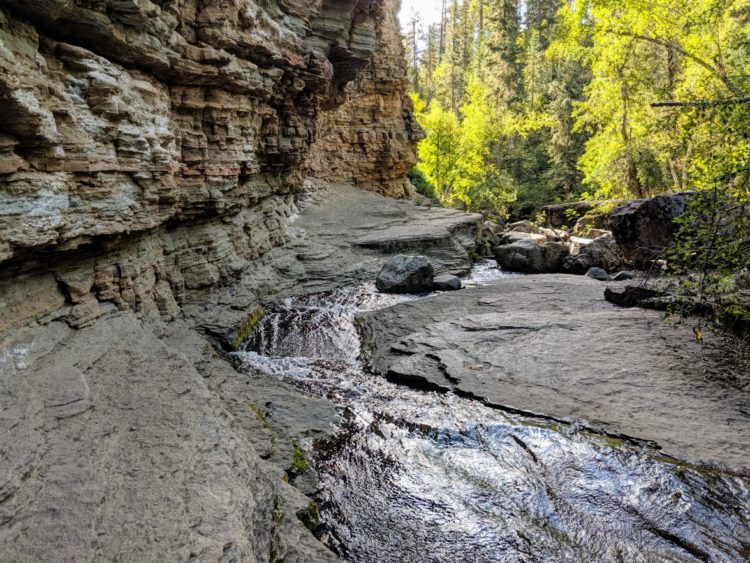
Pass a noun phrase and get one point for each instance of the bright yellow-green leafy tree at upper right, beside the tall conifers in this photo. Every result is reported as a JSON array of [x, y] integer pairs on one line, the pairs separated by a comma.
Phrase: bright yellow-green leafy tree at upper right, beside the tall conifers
[[640, 53]]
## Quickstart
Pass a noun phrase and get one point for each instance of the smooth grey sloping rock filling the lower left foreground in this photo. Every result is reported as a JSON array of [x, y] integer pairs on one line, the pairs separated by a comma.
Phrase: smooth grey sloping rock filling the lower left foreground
[[117, 445]]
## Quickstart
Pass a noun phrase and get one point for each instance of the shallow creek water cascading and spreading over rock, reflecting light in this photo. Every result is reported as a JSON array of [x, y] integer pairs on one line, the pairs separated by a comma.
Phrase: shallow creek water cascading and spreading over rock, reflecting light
[[420, 476]]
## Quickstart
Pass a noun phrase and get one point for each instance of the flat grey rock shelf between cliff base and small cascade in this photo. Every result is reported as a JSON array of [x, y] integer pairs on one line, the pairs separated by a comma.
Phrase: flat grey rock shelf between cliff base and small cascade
[[342, 236]]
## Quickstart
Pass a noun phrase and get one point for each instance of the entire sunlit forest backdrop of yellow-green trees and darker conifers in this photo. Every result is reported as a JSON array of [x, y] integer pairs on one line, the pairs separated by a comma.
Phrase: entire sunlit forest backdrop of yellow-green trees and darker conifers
[[536, 102]]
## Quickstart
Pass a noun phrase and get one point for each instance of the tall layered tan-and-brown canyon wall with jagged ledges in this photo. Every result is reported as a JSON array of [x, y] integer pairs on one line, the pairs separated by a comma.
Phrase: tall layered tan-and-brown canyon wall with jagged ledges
[[150, 149]]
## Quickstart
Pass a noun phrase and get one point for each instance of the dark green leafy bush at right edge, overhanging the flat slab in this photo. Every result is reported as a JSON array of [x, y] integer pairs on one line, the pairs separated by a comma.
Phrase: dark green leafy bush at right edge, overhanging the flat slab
[[710, 256]]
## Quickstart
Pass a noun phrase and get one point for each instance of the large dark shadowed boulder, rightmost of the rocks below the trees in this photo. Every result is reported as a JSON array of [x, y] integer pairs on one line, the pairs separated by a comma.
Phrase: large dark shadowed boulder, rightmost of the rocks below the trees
[[644, 228]]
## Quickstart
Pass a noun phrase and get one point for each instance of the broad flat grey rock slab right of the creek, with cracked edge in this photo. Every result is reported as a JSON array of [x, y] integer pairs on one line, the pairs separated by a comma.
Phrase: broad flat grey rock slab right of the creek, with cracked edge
[[552, 345]]
